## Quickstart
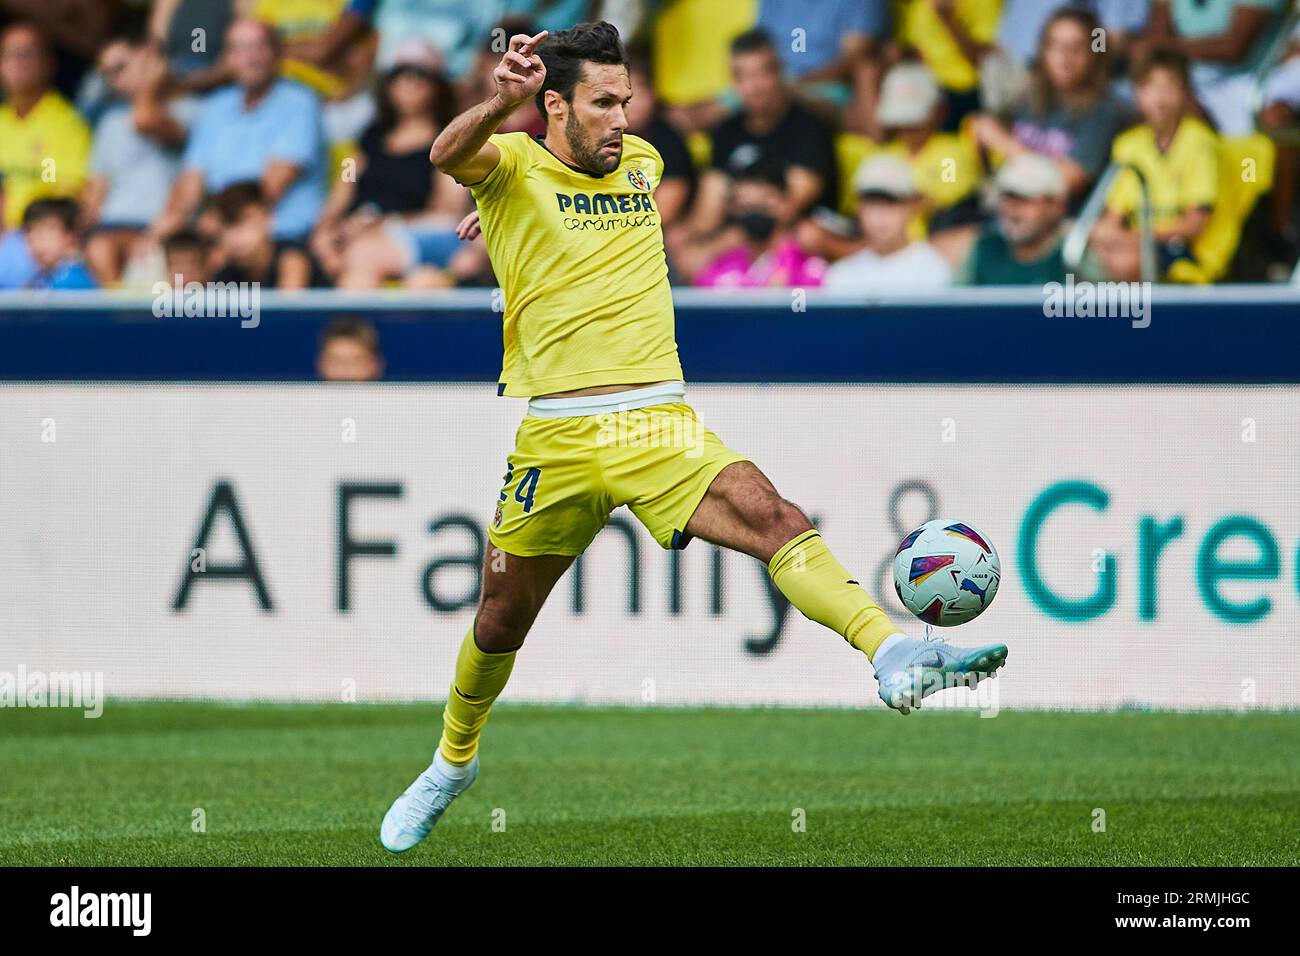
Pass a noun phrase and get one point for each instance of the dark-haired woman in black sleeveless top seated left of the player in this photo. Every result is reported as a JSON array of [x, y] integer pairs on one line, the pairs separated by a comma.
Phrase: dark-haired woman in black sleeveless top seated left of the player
[[400, 214]]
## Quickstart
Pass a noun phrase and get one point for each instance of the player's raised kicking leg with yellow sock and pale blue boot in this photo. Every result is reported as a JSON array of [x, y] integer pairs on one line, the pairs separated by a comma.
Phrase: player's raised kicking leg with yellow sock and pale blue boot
[[743, 512]]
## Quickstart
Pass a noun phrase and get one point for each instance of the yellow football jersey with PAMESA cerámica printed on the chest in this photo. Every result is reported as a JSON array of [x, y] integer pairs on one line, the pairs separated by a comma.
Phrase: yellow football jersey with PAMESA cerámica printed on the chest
[[582, 266]]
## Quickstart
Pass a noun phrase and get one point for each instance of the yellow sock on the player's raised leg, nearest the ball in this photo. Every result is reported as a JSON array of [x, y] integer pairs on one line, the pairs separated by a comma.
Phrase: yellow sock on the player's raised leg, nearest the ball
[[821, 587]]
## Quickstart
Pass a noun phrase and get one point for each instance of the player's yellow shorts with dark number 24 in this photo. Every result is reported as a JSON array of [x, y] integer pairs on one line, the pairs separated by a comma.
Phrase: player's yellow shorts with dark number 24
[[569, 474]]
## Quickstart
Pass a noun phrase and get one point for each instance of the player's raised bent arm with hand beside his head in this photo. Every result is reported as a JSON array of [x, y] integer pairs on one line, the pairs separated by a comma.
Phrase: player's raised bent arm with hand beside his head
[[462, 150]]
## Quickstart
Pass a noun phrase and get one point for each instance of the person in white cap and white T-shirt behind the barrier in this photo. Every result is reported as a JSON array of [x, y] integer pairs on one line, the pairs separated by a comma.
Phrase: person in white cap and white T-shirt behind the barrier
[[890, 262]]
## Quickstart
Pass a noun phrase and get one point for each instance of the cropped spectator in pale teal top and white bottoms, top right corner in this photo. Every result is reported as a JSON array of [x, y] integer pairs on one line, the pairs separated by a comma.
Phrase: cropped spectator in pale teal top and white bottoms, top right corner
[[1227, 41]]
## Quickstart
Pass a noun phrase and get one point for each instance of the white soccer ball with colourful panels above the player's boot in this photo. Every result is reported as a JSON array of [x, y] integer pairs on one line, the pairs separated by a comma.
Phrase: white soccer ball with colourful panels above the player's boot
[[947, 573]]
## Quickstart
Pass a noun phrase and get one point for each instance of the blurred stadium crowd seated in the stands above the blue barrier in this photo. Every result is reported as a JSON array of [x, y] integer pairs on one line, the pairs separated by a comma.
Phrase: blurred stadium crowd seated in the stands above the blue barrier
[[864, 146]]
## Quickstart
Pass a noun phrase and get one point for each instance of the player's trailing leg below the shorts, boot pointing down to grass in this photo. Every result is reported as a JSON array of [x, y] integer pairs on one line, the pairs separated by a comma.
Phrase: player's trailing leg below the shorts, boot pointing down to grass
[[514, 591]]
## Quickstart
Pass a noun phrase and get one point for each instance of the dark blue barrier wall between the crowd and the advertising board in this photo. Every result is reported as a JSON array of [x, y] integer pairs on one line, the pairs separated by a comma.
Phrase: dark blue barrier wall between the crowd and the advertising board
[[1223, 335]]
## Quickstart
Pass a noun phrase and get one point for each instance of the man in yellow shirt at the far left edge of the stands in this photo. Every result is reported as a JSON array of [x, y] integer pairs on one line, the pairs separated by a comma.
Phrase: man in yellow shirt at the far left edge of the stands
[[45, 145]]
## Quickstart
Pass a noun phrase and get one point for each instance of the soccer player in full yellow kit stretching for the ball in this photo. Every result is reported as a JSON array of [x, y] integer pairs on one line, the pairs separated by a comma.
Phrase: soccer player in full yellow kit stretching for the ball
[[575, 239]]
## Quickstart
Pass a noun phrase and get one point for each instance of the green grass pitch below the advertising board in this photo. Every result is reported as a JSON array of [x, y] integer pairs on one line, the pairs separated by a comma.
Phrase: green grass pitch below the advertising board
[[309, 785]]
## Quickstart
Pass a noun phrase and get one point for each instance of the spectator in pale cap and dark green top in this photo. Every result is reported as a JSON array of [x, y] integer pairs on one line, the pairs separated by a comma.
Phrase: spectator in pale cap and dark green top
[[1022, 246]]
